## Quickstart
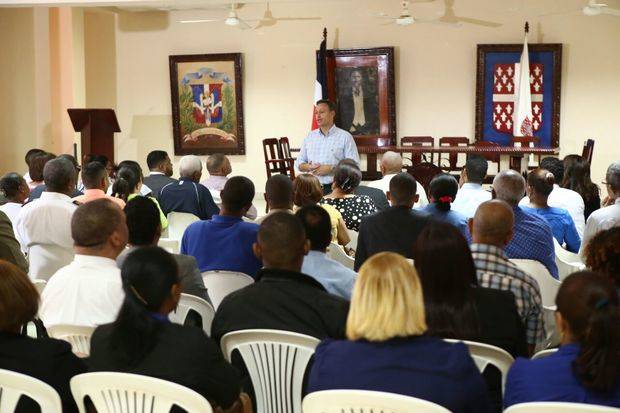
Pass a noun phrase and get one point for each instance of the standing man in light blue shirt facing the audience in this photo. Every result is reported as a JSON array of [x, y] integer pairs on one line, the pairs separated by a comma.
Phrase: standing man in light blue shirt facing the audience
[[324, 147]]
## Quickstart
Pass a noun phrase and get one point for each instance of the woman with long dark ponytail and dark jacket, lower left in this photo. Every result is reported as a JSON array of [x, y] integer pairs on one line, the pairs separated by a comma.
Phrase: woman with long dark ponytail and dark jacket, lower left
[[142, 340]]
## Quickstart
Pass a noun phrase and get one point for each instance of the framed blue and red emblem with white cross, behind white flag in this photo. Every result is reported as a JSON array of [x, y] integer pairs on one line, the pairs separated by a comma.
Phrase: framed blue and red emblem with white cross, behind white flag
[[497, 71]]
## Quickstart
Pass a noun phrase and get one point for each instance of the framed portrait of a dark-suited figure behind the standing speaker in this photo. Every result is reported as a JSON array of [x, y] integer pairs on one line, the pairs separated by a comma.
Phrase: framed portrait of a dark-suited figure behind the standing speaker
[[361, 83]]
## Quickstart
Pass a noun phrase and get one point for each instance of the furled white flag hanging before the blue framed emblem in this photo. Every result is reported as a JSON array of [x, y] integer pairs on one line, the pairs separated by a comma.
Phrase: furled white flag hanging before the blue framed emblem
[[523, 110]]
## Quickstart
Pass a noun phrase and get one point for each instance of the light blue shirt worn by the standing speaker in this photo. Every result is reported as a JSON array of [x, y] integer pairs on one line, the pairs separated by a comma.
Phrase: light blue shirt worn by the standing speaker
[[328, 149]]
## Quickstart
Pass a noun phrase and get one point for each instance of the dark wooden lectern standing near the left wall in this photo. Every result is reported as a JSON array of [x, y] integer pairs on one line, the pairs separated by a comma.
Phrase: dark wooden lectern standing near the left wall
[[97, 127]]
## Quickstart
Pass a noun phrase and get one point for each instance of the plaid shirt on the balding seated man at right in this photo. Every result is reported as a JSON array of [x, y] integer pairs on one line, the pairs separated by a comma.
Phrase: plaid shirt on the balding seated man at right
[[494, 270]]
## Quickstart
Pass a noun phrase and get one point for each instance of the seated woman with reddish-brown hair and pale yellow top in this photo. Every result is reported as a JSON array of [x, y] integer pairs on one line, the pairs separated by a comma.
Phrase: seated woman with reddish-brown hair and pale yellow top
[[307, 190]]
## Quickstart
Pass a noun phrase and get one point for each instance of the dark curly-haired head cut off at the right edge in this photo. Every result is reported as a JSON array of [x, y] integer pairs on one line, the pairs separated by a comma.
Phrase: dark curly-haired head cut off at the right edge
[[602, 255]]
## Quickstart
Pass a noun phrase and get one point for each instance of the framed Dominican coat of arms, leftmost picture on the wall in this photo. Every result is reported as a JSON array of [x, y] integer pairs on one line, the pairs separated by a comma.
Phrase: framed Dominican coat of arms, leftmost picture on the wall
[[207, 104]]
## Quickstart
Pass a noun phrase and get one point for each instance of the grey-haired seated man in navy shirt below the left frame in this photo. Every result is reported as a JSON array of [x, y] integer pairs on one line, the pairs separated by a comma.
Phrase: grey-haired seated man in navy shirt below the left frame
[[187, 195]]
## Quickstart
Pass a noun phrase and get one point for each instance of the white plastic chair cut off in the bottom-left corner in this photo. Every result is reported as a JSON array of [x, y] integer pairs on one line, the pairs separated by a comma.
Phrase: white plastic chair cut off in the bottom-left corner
[[14, 385]]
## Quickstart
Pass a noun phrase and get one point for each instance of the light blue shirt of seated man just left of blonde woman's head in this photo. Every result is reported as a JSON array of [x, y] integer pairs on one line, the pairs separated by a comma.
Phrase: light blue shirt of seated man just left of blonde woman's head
[[335, 277]]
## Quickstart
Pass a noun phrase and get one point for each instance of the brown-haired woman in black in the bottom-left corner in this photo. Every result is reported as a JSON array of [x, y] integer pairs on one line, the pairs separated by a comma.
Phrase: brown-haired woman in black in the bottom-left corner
[[46, 359]]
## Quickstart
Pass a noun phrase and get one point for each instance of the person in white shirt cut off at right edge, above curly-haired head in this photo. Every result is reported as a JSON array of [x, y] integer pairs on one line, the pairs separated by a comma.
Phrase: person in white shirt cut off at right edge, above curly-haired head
[[609, 216]]
